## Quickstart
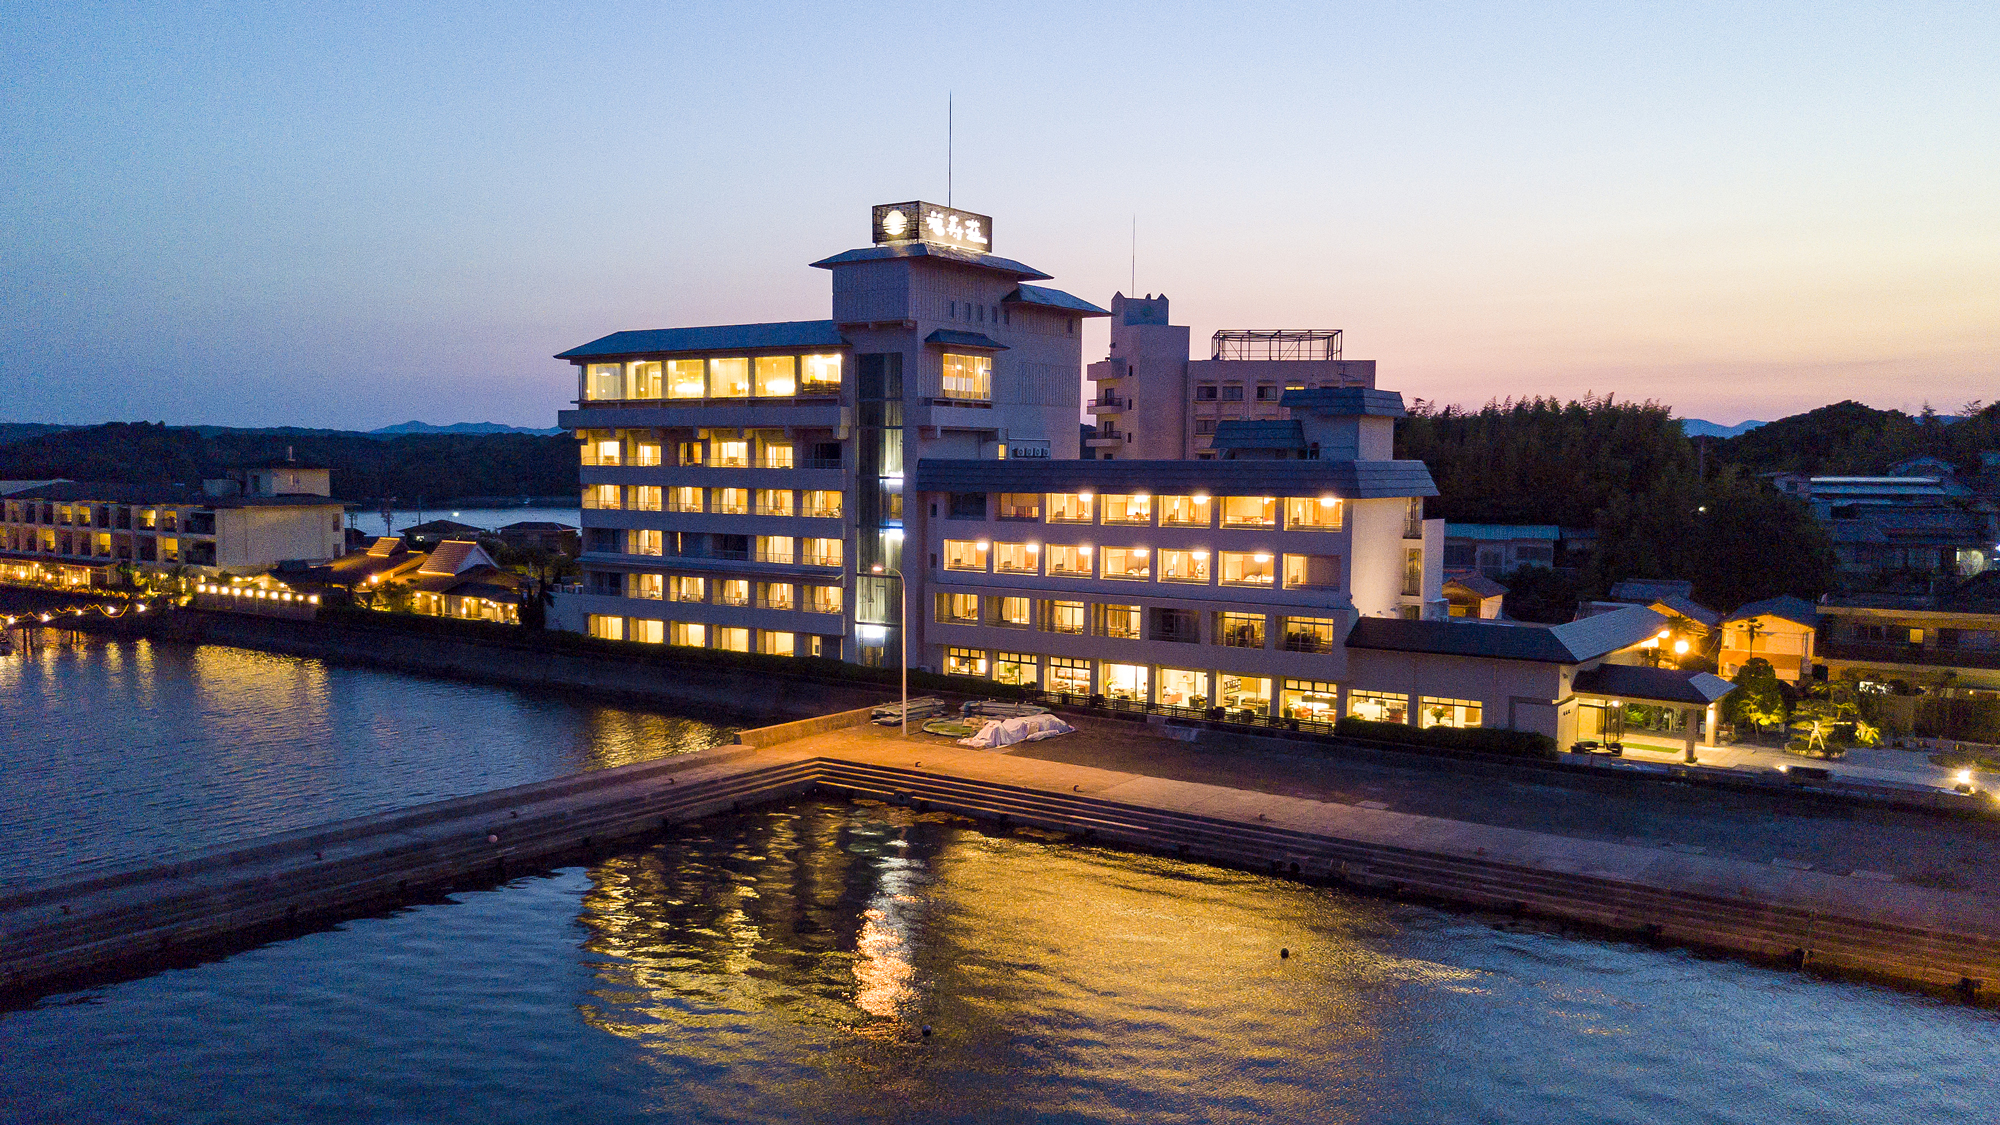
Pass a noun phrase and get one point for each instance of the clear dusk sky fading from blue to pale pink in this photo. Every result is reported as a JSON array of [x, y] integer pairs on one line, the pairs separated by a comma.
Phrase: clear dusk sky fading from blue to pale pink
[[355, 215]]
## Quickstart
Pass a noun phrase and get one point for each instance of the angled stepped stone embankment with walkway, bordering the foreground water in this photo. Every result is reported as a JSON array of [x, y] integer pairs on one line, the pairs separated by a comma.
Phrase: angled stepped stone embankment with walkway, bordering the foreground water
[[1853, 924]]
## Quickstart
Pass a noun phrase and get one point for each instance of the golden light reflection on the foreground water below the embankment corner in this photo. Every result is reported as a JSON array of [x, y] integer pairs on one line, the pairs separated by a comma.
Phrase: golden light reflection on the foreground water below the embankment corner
[[855, 926]]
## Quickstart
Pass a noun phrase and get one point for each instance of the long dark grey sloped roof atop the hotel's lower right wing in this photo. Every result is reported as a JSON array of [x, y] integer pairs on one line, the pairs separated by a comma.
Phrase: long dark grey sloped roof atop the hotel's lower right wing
[[1351, 479]]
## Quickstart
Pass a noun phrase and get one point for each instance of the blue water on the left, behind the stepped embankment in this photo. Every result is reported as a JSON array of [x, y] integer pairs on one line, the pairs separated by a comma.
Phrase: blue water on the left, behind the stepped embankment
[[117, 752]]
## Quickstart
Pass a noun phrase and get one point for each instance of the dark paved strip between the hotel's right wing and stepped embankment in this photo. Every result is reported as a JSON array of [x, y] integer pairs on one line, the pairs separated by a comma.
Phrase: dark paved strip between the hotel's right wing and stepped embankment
[[1933, 852]]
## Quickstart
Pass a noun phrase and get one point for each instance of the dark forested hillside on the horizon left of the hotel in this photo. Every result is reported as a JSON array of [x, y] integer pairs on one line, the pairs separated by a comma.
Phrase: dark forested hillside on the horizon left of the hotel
[[363, 467]]
